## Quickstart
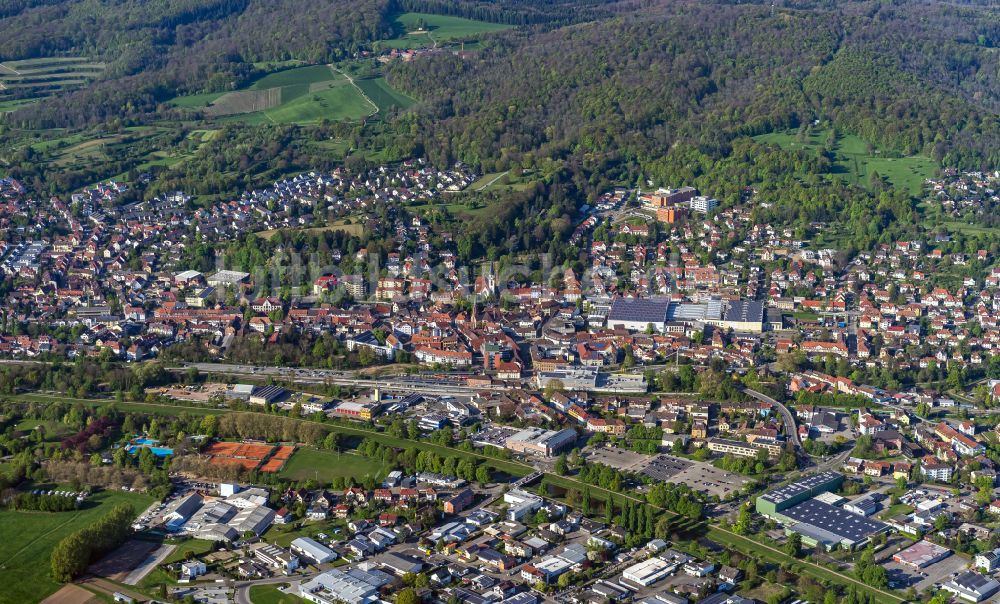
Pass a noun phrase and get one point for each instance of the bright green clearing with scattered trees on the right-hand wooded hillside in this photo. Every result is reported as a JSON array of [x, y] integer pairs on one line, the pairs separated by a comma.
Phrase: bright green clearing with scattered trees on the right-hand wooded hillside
[[855, 163]]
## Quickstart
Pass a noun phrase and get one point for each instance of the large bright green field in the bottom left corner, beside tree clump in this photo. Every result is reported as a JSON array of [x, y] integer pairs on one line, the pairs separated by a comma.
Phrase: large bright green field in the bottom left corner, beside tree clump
[[27, 539]]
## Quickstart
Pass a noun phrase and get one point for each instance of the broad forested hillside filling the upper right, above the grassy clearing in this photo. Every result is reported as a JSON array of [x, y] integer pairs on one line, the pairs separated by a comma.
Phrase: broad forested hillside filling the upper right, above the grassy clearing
[[915, 77]]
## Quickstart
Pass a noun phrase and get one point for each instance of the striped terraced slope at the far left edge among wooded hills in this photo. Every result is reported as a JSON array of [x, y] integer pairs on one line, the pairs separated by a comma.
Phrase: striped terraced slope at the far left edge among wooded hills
[[46, 76]]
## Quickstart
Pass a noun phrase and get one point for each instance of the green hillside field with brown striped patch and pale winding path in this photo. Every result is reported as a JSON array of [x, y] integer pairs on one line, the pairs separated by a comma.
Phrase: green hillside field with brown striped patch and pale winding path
[[296, 95]]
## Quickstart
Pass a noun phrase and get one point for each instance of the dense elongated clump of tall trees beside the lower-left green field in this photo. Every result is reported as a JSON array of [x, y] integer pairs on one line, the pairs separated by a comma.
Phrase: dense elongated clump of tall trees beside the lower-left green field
[[71, 556]]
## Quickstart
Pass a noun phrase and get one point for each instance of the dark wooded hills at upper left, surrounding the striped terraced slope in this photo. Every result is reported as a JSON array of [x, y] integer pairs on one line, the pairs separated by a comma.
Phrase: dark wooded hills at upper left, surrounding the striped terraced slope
[[158, 49]]
